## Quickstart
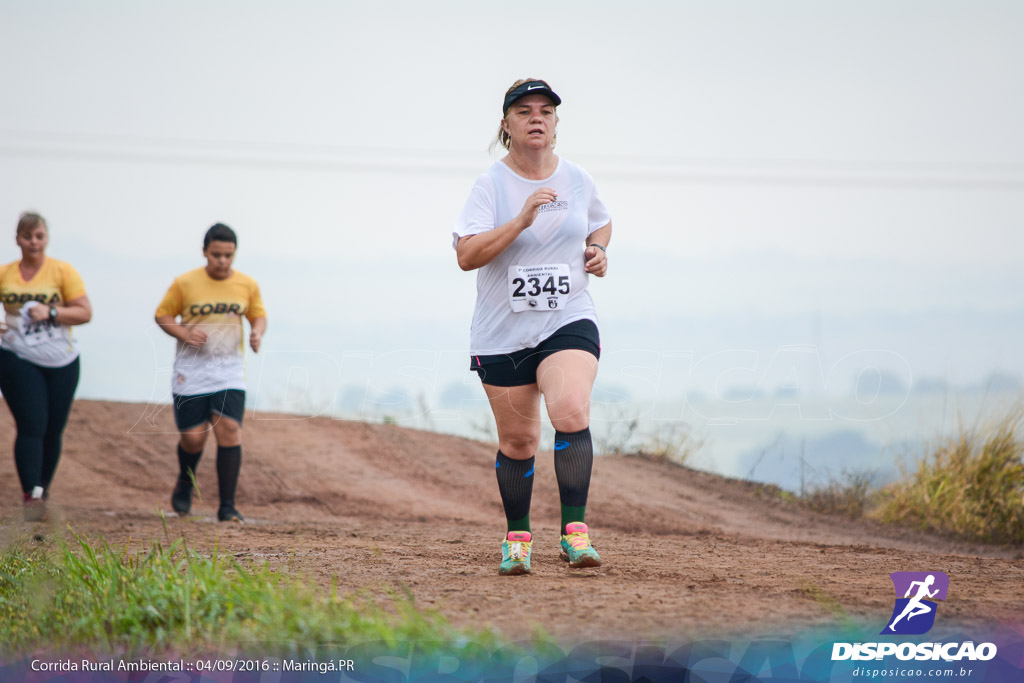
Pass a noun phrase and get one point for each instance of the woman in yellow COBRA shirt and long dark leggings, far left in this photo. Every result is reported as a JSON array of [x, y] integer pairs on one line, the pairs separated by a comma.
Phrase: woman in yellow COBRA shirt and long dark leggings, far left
[[39, 367]]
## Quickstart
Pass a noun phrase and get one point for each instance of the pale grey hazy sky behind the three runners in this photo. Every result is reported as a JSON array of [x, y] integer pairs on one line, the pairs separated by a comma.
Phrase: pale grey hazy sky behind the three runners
[[848, 176]]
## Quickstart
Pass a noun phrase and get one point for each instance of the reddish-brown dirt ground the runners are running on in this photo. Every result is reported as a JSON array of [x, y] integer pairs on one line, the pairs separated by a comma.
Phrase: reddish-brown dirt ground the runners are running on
[[379, 507]]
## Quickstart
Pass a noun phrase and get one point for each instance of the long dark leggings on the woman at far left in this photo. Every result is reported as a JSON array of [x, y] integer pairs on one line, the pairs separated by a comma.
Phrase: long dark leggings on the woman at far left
[[40, 401]]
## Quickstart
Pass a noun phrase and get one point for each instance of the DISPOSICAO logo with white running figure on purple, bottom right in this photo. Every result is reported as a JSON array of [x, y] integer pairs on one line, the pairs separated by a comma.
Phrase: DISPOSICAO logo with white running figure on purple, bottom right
[[914, 615]]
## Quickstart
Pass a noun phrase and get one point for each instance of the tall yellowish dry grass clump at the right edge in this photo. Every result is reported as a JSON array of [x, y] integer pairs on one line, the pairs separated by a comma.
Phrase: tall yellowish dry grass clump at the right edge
[[971, 485]]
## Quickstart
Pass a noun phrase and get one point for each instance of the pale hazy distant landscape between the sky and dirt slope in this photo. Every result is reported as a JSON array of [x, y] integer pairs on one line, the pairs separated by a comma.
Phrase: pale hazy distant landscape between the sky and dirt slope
[[778, 443]]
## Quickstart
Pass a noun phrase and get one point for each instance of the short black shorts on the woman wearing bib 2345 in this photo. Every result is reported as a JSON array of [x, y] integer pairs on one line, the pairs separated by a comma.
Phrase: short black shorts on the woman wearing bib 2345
[[520, 368]]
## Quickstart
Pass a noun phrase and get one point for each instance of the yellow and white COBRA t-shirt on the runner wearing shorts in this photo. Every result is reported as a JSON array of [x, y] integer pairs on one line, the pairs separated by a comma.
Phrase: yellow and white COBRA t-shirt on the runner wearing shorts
[[217, 308]]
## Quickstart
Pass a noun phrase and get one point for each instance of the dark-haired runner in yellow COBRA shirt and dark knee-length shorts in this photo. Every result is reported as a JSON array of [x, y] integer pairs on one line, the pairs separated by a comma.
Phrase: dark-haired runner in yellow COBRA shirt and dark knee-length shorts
[[203, 311]]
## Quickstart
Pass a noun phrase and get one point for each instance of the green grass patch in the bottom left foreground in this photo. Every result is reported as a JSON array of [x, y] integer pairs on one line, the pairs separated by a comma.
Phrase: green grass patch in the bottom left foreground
[[173, 600]]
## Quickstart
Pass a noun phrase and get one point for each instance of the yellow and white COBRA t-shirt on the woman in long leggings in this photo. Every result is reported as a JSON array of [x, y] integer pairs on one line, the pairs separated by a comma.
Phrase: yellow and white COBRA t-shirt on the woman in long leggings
[[45, 344]]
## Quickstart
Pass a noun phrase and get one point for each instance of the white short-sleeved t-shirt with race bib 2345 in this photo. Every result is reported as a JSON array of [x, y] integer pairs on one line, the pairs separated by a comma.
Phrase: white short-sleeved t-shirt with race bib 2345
[[544, 298]]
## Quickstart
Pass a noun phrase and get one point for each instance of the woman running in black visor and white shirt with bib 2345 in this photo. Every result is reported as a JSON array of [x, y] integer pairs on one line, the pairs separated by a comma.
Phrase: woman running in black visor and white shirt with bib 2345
[[535, 230]]
